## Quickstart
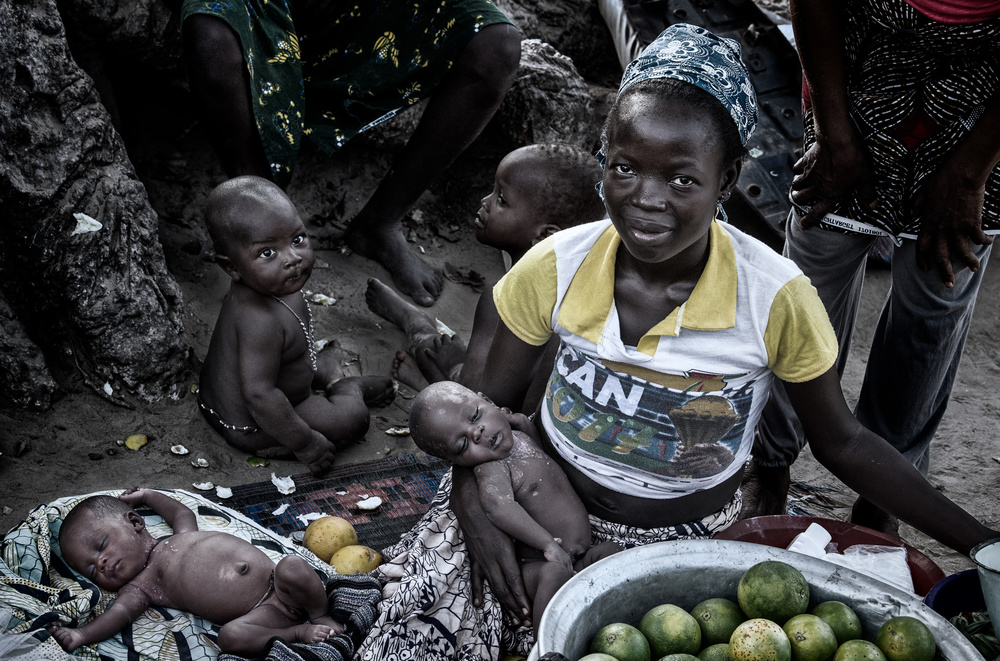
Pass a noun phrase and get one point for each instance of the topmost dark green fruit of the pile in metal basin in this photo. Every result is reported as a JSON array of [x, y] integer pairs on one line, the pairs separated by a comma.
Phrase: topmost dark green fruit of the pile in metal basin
[[773, 590]]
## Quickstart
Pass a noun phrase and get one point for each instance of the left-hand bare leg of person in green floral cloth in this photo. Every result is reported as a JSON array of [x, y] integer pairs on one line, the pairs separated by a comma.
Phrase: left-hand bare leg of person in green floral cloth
[[221, 85]]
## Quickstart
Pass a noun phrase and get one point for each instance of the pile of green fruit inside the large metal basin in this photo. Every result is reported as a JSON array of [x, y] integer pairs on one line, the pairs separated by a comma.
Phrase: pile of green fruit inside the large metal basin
[[770, 622]]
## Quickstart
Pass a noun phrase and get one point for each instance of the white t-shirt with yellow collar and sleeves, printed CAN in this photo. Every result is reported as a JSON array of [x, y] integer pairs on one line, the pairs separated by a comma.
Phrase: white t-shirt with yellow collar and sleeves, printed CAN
[[676, 413]]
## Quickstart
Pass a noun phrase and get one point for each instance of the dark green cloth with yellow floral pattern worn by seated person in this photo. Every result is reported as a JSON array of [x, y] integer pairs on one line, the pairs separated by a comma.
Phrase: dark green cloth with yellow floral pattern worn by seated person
[[333, 81]]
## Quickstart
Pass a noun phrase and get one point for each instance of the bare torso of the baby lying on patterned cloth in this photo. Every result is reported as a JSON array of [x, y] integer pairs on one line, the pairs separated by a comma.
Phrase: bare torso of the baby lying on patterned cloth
[[214, 575]]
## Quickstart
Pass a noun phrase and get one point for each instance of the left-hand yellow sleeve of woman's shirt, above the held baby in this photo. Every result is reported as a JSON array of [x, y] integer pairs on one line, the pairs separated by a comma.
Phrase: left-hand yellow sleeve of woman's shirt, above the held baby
[[526, 296]]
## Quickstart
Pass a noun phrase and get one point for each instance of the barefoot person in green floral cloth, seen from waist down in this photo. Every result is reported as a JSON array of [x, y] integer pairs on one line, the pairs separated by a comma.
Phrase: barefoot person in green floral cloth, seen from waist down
[[267, 73]]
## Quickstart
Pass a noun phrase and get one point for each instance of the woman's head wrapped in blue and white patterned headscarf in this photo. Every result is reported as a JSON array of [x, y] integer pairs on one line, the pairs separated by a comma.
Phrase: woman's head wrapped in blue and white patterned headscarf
[[674, 142]]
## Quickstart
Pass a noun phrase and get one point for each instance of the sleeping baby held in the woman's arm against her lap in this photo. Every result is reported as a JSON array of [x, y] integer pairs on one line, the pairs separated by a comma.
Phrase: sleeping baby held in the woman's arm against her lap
[[522, 490]]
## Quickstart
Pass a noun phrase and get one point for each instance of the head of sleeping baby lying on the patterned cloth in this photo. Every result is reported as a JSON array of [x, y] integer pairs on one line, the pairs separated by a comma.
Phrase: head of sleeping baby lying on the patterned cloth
[[105, 541]]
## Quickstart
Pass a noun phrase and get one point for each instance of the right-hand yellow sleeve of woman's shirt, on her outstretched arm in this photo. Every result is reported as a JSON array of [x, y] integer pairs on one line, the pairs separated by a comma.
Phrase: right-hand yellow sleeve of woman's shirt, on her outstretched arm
[[800, 341]]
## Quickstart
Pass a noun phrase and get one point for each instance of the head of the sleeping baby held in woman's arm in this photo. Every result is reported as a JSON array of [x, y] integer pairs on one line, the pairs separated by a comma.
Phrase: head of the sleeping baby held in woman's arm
[[450, 421]]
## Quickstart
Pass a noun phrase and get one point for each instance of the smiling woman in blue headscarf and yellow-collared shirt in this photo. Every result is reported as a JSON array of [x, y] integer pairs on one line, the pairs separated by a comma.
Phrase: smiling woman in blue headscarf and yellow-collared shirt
[[672, 327]]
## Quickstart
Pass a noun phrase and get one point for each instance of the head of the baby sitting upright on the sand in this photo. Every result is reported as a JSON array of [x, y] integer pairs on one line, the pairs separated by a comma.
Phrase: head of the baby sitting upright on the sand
[[258, 236]]
